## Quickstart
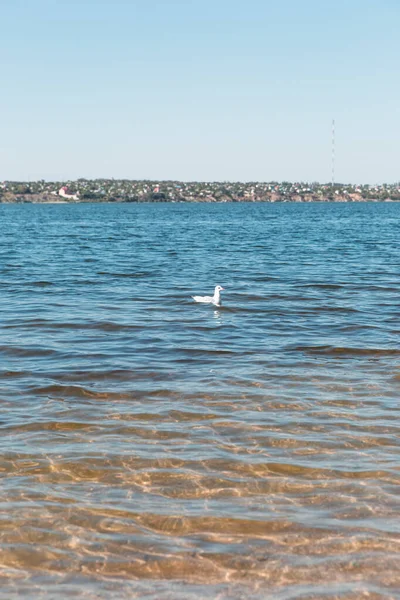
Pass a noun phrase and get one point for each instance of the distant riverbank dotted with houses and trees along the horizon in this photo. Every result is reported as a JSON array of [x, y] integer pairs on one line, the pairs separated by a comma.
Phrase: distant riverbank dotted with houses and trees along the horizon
[[124, 190]]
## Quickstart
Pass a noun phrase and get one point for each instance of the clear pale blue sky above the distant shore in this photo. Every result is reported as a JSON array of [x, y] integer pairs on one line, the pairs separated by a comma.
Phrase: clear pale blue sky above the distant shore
[[211, 90]]
